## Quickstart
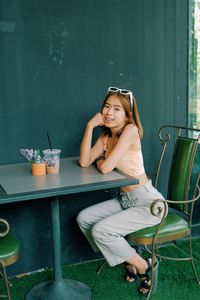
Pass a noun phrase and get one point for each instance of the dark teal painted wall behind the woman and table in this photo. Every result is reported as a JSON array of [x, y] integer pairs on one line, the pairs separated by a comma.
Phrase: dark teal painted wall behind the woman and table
[[57, 59]]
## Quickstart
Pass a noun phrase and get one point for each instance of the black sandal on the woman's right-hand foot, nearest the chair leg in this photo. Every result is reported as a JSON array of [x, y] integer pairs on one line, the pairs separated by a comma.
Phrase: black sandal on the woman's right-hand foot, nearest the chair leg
[[145, 282]]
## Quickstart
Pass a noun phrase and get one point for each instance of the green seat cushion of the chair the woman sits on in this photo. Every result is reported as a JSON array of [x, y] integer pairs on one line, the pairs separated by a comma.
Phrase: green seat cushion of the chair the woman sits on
[[173, 227]]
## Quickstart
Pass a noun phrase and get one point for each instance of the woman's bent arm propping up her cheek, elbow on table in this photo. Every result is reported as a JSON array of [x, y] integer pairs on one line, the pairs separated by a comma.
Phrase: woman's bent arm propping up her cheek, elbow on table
[[88, 153]]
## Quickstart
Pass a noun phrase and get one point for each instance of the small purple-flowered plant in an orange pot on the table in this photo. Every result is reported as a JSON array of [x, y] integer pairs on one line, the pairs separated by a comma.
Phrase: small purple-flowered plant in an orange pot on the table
[[38, 163]]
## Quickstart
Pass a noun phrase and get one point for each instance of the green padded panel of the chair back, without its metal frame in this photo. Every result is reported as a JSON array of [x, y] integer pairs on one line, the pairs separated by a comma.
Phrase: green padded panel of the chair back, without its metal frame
[[181, 170]]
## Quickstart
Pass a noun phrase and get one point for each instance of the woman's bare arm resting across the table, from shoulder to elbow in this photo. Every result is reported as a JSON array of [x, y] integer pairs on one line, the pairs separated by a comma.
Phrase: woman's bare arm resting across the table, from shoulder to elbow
[[128, 137]]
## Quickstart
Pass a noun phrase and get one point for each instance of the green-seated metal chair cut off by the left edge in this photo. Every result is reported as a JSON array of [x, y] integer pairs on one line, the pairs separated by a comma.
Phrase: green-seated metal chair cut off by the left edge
[[9, 253]]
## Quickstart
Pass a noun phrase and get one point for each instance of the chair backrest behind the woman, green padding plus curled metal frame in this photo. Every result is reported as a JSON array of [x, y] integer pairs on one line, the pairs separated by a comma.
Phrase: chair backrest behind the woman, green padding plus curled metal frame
[[182, 162]]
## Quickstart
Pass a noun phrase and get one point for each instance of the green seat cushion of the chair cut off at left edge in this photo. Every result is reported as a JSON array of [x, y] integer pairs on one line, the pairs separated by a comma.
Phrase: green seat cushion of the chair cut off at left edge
[[9, 247]]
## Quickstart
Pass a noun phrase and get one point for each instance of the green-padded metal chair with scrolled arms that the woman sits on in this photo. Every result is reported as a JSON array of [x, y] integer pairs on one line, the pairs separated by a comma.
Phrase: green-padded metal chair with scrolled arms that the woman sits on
[[178, 222]]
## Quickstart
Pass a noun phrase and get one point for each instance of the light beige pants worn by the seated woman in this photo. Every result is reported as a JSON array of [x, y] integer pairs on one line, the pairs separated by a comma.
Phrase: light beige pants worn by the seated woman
[[106, 224]]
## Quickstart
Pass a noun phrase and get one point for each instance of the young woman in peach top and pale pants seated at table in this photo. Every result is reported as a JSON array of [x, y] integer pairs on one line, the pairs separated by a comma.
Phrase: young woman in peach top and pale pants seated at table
[[119, 146]]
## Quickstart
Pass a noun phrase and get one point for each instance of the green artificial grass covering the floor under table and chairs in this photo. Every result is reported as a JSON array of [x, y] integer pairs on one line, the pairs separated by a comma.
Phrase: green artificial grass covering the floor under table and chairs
[[176, 279]]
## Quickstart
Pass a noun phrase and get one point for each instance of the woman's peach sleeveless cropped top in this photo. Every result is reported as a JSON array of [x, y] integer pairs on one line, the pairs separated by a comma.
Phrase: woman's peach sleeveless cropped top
[[131, 163]]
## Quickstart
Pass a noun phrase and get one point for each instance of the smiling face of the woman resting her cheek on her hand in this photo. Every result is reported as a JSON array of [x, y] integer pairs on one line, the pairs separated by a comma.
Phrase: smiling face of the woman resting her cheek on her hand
[[113, 113]]
